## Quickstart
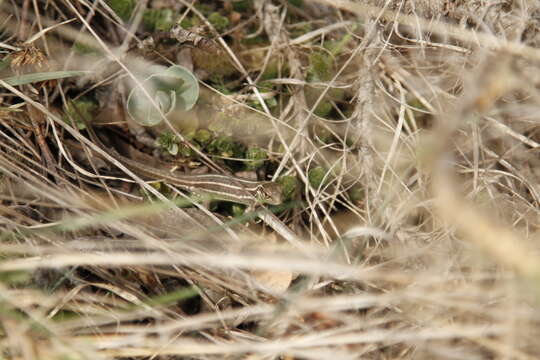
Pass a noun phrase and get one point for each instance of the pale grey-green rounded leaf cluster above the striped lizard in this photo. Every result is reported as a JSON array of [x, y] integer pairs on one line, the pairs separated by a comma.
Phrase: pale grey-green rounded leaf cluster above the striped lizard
[[173, 88]]
